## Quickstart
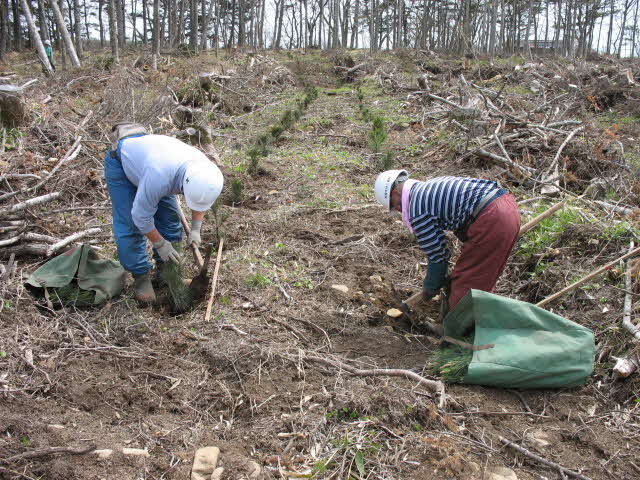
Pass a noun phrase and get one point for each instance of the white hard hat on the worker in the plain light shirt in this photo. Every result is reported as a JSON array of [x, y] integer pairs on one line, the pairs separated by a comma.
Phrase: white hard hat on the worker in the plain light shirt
[[202, 185]]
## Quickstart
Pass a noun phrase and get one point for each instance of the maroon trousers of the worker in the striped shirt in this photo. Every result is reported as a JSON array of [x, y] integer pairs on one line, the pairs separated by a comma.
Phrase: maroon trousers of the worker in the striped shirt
[[484, 254]]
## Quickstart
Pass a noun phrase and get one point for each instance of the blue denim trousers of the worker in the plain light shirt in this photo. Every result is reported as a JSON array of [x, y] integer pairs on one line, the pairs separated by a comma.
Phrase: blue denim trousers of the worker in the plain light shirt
[[131, 243]]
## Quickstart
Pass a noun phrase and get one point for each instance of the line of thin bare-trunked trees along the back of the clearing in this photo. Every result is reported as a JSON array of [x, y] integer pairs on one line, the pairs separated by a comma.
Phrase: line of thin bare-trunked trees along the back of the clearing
[[565, 27]]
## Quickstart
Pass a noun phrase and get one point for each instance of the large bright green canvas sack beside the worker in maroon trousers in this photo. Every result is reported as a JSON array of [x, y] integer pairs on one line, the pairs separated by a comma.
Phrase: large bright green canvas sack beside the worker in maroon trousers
[[533, 348]]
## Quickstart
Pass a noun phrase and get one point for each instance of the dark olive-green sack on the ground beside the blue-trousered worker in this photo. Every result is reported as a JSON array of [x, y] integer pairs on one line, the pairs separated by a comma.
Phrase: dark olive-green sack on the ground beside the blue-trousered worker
[[82, 266]]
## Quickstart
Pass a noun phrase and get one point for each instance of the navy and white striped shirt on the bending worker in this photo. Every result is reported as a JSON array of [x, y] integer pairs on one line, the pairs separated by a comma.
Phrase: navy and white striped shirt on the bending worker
[[444, 203]]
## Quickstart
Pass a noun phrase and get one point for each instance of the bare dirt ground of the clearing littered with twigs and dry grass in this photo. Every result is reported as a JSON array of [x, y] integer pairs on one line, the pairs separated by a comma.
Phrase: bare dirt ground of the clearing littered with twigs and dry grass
[[123, 376]]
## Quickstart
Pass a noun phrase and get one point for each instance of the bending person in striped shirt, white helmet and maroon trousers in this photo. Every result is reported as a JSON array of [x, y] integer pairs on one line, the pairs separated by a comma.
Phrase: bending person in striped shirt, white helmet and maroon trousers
[[481, 214]]
